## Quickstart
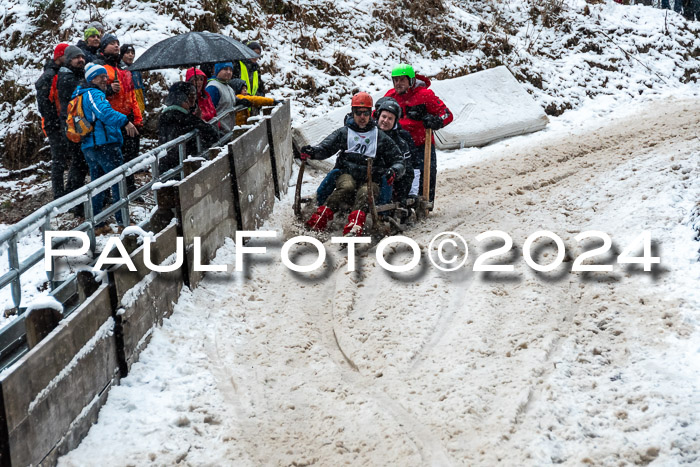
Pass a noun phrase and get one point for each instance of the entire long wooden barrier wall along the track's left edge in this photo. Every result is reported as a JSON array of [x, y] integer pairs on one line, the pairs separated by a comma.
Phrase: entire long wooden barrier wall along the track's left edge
[[52, 395]]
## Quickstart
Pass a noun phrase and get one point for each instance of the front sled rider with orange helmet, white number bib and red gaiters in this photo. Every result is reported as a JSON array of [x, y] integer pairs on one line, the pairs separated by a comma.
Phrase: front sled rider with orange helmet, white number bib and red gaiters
[[357, 141]]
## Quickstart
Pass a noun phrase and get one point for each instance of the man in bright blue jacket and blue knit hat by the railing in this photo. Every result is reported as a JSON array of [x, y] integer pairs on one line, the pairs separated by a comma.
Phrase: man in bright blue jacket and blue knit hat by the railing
[[102, 147]]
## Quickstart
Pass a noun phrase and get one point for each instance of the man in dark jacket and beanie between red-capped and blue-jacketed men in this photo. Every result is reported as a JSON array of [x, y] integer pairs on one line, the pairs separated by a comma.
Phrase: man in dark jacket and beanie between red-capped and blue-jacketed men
[[69, 76]]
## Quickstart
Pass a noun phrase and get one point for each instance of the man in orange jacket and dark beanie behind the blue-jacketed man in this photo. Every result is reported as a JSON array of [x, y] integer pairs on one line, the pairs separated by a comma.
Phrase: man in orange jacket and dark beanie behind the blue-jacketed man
[[121, 96]]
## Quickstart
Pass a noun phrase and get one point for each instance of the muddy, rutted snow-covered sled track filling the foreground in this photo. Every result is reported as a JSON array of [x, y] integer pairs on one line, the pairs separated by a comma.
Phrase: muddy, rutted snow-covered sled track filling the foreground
[[449, 368]]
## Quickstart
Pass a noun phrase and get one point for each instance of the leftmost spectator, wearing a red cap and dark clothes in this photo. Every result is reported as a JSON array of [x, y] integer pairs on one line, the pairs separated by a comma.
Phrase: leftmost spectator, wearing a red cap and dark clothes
[[49, 108]]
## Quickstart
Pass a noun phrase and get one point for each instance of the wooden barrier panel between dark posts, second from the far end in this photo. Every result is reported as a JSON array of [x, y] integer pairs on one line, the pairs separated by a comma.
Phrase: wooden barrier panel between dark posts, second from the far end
[[250, 155]]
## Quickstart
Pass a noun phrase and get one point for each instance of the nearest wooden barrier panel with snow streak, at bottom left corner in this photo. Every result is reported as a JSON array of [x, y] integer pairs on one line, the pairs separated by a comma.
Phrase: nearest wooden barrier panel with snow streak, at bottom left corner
[[47, 389]]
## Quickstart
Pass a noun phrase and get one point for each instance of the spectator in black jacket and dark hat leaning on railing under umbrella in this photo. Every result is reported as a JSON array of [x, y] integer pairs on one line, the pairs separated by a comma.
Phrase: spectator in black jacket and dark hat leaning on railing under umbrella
[[177, 119]]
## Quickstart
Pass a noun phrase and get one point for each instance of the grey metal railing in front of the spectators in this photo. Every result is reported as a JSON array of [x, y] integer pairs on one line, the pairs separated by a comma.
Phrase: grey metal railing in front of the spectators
[[41, 218]]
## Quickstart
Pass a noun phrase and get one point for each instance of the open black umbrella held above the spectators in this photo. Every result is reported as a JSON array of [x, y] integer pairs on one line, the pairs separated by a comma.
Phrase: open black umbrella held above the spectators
[[191, 49]]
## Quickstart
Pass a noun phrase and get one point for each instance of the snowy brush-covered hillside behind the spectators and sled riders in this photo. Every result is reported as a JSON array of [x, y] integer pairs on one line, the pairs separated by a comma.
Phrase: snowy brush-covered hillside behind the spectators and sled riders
[[320, 52]]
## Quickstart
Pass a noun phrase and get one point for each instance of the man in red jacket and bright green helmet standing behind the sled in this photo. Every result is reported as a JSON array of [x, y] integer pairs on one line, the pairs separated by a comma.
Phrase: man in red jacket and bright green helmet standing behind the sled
[[422, 110]]
